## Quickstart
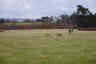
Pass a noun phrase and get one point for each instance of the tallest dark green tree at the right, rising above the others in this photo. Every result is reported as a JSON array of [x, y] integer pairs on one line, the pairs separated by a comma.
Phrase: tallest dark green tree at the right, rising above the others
[[83, 17]]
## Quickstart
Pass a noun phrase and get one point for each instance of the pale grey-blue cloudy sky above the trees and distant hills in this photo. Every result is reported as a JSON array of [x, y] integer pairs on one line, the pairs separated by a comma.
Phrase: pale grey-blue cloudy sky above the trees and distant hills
[[38, 8]]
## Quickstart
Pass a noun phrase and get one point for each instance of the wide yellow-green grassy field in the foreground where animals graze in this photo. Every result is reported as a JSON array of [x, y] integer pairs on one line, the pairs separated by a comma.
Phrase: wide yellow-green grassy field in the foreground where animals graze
[[33, 47]]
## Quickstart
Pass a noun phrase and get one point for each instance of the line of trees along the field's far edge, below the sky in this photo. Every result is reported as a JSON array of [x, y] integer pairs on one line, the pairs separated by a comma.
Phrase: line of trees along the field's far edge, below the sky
[[82, 18]]
